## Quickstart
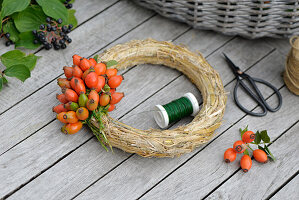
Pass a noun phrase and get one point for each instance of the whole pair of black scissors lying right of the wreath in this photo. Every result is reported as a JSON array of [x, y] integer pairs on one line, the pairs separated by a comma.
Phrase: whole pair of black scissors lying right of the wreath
[[256, 94]]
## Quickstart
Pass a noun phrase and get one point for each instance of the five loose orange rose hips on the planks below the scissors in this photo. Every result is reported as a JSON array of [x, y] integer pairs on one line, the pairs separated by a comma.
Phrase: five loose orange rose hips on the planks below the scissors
[[239, 147]]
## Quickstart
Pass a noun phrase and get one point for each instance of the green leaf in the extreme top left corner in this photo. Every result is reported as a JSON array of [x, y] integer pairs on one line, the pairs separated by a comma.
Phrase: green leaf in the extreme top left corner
[[11, 6]]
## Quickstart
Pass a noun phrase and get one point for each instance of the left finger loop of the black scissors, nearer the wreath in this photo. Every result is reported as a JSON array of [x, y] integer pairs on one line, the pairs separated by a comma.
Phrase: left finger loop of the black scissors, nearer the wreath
[[253, 96]]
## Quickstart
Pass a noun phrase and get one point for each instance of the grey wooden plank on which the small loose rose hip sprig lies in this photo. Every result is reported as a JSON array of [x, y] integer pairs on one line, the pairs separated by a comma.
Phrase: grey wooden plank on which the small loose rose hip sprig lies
[[206, 170]]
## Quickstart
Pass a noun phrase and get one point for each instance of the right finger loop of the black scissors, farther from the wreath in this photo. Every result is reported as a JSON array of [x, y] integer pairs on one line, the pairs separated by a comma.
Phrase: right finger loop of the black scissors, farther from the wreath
[[276, 91]]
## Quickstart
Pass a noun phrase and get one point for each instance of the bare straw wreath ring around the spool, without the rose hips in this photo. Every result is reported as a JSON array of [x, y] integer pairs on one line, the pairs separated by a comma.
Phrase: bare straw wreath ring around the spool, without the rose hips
[[167, 143]]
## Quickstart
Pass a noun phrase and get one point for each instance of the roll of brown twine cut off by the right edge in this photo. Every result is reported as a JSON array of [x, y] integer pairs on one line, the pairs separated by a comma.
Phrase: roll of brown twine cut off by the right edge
[[291, 74]]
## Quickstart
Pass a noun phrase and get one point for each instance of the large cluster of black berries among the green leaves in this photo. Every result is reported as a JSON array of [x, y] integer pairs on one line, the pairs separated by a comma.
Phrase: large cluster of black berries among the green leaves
[[53, 34]]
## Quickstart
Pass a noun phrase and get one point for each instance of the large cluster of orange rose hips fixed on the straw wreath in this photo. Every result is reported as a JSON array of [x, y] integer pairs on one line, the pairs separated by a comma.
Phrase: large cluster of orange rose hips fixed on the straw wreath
[[88, 87]]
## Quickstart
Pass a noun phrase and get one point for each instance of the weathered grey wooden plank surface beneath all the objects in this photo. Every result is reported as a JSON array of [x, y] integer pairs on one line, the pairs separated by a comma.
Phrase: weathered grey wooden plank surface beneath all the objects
[[38, 162]]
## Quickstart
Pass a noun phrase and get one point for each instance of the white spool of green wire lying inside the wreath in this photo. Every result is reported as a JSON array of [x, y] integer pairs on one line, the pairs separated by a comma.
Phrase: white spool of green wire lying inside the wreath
[[176, 110]]
